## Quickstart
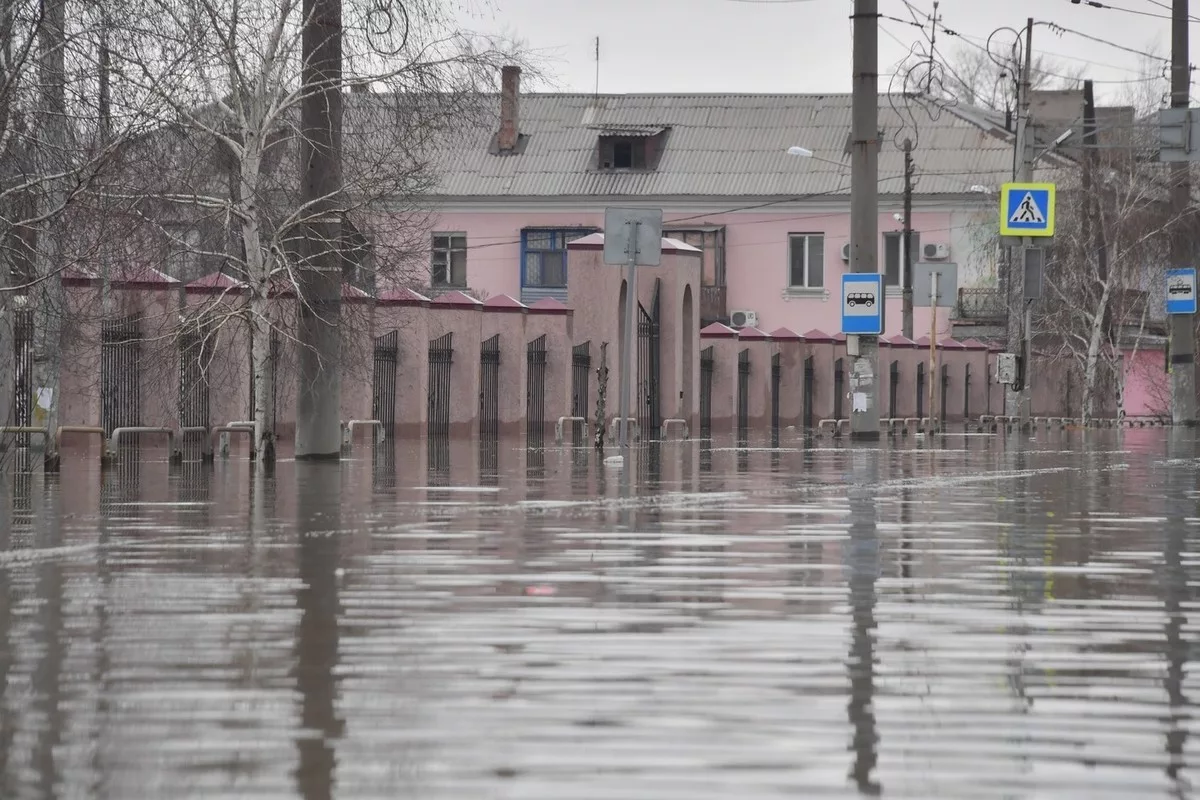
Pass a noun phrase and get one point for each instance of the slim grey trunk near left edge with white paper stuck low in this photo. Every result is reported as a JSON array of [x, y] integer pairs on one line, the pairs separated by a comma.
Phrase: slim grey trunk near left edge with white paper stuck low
[[51, 298]]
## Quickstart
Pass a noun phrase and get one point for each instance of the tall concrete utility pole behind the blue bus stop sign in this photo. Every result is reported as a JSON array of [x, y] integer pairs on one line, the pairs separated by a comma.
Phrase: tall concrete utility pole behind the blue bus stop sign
[[865, 204]]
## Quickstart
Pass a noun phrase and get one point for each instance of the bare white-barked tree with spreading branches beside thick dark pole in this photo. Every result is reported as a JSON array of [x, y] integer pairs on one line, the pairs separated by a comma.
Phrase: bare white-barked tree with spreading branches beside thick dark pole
[[225, 88]]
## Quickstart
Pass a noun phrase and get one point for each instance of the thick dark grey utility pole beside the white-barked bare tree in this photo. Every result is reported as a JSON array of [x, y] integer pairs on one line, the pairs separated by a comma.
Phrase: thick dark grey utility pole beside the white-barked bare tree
[[319, 402]]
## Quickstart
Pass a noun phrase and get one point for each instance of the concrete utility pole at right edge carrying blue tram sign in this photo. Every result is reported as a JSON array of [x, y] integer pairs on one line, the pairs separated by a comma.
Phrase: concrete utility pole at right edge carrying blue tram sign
[[1184, 369]]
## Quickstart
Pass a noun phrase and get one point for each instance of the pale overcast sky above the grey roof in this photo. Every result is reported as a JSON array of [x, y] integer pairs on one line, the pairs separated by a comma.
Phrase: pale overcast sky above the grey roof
[[801, 46]]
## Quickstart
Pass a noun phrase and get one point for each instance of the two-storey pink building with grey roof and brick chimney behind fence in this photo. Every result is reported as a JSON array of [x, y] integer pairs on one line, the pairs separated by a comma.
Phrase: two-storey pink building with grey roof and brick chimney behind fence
[[773, 227]]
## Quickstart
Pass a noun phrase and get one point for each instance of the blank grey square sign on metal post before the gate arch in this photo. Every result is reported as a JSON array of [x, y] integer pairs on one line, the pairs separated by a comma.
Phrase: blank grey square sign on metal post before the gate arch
[[632, 237]]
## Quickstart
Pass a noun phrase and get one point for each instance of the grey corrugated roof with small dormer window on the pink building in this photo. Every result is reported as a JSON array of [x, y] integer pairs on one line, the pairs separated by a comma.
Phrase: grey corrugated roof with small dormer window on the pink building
[[722, 146]]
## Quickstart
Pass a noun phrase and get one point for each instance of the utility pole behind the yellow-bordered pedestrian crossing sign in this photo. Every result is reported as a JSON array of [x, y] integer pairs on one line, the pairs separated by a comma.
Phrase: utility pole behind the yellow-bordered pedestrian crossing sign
[[1021, 340]]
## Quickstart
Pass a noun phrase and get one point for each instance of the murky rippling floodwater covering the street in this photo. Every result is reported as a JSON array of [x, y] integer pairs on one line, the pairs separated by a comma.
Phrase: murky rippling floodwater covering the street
[[969, 618]]
